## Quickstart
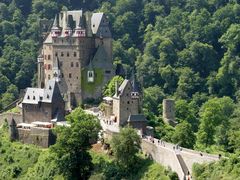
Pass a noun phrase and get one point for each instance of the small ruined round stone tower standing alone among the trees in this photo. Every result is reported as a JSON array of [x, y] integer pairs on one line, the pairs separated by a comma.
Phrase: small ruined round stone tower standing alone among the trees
[[169, 111]]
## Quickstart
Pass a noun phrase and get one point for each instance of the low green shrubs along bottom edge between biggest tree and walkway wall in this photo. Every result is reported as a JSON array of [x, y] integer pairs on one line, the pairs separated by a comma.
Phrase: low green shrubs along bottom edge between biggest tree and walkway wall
[[105, 168]]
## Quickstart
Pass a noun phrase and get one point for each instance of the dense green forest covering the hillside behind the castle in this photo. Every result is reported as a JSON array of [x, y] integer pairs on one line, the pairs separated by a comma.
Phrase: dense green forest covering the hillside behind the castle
[[187, 50]]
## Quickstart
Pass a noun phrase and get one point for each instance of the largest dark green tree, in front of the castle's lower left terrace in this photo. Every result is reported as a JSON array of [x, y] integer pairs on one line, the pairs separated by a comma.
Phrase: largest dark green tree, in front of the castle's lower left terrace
[[73, 143]]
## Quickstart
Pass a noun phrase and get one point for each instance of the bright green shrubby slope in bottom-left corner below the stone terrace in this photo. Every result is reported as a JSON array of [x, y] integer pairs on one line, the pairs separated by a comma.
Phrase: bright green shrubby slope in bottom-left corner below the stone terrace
[[16, 158]]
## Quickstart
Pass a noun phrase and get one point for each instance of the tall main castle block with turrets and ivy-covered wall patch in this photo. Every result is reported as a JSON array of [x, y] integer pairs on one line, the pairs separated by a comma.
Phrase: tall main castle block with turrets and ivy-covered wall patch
[[77, 53]]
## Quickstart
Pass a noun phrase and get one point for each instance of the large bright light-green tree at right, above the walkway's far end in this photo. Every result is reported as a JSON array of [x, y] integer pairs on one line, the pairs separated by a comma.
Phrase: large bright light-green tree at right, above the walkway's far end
[[214, 114]]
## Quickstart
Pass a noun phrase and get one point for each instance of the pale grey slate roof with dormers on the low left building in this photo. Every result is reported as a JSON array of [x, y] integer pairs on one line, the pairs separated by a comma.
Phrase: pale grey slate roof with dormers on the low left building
[[36, 95]]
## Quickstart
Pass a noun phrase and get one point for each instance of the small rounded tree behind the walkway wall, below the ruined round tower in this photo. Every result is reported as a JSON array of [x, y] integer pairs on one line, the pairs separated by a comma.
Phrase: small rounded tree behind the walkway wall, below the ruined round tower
[[184, 135]]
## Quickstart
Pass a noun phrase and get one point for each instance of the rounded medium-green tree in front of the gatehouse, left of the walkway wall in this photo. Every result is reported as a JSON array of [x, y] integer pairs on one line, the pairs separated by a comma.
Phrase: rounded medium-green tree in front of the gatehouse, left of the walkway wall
[[125, 146]]
